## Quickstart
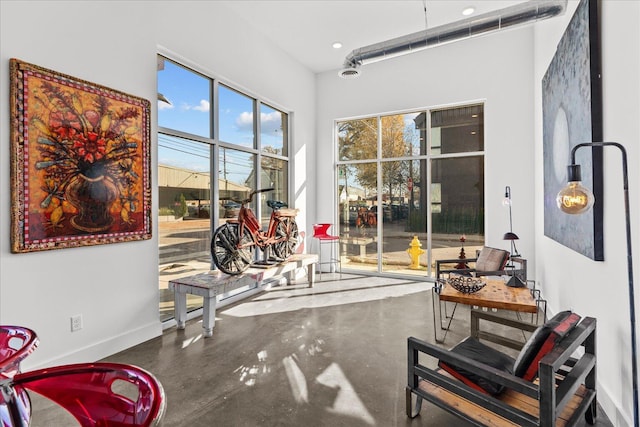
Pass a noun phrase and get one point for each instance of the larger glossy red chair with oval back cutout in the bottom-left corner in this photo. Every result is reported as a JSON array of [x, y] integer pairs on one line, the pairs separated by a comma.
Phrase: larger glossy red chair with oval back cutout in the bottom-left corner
[[96, 394]]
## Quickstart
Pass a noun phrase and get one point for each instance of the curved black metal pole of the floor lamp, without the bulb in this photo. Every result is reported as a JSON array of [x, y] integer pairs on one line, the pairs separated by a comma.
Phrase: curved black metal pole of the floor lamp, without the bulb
[[632, 311]]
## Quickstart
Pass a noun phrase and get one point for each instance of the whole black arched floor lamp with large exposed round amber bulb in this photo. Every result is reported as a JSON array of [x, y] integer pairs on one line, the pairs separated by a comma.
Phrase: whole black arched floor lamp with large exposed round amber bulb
[[576, 199]]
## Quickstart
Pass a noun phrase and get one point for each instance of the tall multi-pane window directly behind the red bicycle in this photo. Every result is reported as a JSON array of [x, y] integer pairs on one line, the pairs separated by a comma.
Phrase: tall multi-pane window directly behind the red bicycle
[[198, 140]]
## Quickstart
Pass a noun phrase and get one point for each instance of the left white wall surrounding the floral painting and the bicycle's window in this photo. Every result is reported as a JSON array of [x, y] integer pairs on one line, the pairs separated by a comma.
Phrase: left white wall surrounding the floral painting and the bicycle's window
[[115, 287]]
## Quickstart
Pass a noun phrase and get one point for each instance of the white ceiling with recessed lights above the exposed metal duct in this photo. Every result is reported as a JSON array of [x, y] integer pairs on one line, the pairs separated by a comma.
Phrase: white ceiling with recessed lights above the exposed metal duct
[[306, 29]]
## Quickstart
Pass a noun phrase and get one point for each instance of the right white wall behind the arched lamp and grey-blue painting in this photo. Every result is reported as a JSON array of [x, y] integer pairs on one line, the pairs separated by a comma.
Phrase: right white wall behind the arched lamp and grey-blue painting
[[568, 279]]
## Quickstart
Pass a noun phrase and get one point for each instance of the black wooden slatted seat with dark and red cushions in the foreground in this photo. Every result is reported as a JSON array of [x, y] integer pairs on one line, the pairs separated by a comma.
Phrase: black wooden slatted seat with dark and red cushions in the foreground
[[547, 385]]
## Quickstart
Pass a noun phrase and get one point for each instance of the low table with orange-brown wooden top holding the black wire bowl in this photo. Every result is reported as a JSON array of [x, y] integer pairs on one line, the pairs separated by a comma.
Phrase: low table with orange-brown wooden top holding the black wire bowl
[[496, 294]]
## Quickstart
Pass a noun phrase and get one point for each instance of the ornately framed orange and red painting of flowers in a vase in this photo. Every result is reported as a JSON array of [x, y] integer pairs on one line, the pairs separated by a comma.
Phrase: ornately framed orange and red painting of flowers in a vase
[[80, 162]]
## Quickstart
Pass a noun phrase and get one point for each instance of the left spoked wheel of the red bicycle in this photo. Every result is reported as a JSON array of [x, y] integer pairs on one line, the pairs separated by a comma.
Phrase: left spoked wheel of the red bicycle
[[225, 252]]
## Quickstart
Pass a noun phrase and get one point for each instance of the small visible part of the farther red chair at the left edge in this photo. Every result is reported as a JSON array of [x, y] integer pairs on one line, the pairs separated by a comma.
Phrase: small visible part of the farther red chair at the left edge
[[16, 343]]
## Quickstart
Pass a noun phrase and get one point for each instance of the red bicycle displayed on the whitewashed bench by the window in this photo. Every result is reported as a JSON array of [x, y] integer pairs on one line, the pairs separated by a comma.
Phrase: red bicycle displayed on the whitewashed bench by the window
[[233, 244]]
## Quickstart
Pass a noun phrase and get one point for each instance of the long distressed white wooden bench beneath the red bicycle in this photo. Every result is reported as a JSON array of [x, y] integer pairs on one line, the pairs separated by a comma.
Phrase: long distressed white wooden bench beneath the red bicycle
[[210, 285]]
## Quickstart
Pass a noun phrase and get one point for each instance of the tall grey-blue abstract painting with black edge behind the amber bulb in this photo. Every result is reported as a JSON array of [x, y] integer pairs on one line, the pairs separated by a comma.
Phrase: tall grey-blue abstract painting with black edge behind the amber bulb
[[572, 114]]
